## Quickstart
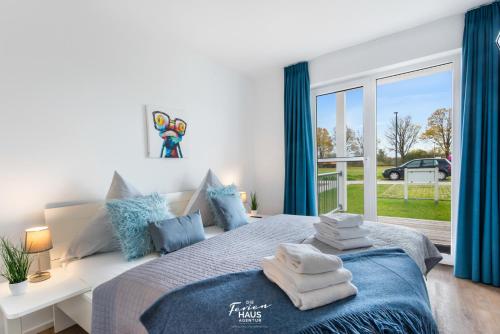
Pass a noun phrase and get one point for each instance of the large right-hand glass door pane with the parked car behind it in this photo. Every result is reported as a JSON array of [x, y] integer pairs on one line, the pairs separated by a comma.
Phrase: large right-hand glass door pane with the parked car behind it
[[414, 151]]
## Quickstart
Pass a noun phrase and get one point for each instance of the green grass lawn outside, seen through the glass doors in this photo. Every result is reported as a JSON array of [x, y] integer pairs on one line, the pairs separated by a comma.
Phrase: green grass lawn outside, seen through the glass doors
[[390, 202]]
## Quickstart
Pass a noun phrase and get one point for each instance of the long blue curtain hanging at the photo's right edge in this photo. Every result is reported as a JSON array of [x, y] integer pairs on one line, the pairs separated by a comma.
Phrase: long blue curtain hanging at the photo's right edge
[[478, 230]]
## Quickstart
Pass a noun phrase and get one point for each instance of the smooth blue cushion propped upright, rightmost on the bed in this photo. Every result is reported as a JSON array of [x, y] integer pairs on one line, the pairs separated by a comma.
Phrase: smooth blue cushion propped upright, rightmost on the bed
[[227, 207]]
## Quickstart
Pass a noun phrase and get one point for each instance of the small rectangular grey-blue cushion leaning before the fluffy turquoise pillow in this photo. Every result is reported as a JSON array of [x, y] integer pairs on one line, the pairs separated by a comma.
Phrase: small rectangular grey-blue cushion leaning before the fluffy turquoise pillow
[[172, 234]]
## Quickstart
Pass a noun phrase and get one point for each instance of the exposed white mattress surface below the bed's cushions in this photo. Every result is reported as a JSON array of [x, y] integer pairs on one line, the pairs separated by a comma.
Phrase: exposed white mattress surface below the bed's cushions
[[97, 269]]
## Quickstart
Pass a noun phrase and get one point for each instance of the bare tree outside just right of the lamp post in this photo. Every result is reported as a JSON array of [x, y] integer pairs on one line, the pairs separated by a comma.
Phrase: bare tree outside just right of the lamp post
[[406, 134]]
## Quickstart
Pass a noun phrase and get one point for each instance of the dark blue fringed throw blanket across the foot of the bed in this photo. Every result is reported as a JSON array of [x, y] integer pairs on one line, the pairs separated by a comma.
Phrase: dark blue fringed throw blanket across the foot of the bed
[[392, 298]]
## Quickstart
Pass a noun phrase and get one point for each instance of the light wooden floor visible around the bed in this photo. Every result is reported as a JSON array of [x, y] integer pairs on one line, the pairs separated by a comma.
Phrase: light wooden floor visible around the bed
[[459, 306]]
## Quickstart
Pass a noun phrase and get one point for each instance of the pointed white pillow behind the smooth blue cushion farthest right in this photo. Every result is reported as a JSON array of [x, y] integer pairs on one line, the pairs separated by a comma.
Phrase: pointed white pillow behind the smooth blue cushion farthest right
[[199, 199]]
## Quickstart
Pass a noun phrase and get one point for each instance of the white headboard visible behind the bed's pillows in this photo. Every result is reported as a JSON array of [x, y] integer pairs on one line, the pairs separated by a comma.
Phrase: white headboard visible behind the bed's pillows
[[68, 221]]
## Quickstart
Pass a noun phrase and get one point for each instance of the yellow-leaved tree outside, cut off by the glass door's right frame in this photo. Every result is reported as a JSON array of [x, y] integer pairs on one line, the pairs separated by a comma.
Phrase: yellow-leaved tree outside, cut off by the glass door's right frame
[[438, 130]]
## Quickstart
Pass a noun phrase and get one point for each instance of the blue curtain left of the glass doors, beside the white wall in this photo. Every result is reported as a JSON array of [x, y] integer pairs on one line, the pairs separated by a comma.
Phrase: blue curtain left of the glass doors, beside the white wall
[[300, 198]]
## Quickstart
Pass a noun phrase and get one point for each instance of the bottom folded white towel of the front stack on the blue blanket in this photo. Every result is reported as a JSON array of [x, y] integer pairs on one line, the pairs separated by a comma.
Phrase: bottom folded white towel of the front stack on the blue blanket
[[314, 298]]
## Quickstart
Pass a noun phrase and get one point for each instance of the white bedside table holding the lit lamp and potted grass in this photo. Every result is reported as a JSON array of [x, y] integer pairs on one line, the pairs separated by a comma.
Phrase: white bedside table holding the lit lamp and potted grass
[[60, 287]]
